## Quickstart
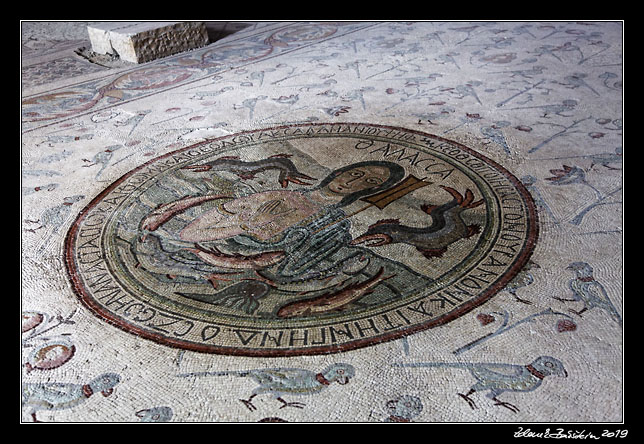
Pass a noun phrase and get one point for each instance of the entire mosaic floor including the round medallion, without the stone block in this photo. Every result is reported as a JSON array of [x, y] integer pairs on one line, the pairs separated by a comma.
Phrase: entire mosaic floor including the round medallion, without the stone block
[[325, 222]]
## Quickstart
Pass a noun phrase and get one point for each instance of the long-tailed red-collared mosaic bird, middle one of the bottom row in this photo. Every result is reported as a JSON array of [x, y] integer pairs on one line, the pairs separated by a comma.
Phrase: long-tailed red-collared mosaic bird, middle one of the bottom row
[[287, 381]]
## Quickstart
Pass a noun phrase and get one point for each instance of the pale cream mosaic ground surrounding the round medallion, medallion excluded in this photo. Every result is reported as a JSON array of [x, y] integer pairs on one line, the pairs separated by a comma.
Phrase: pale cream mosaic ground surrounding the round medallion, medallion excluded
[[543, 99]]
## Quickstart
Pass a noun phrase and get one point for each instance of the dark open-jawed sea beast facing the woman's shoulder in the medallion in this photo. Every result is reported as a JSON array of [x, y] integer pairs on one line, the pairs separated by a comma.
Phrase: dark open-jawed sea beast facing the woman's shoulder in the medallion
[[446, 228]]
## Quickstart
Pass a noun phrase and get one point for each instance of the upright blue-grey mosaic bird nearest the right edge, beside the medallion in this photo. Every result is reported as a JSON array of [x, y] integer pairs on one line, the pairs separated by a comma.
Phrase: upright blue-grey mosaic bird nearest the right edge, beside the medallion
[[587, 290]]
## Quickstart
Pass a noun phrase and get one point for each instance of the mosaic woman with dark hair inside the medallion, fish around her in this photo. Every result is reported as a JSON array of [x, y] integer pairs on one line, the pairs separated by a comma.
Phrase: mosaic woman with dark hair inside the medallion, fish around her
[[293, 241]]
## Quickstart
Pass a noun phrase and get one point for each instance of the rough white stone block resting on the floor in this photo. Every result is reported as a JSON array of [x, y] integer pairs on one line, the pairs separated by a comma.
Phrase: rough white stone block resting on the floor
[[140, 42]]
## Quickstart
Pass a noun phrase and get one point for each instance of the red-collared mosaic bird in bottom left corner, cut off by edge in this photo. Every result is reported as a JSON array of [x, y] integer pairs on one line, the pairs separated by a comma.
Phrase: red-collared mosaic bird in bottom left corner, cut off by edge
[[62, 396]]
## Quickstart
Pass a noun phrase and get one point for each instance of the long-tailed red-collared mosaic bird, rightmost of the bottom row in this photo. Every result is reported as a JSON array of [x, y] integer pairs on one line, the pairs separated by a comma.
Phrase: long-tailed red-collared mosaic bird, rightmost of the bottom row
[[500, 378]]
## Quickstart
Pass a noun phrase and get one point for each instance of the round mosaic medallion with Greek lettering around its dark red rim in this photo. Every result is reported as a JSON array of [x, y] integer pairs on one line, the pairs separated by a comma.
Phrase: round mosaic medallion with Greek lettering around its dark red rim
[[300, 239]]
